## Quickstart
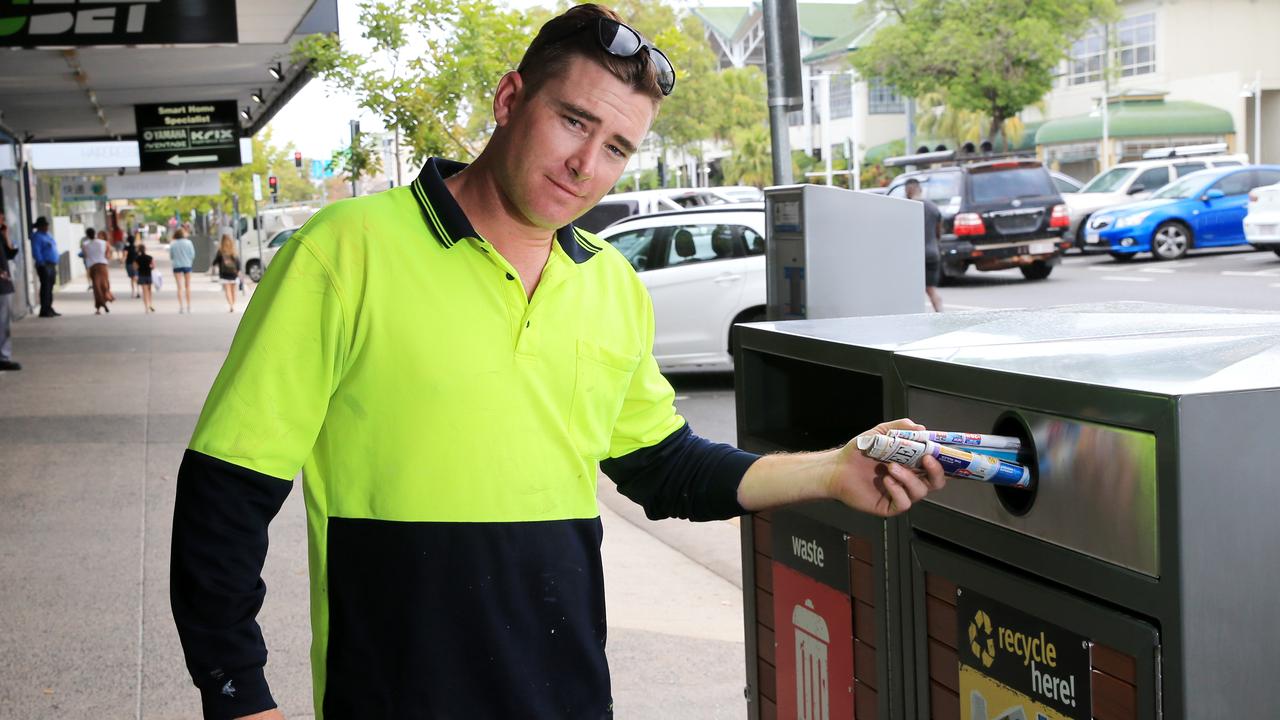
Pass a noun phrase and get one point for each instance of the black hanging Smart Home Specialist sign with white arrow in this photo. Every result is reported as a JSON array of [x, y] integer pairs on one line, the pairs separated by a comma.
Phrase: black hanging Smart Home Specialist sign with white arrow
[[179, 136]]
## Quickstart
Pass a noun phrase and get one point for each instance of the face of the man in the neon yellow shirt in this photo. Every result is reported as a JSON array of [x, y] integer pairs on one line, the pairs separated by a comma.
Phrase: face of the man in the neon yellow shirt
[[568, 144]]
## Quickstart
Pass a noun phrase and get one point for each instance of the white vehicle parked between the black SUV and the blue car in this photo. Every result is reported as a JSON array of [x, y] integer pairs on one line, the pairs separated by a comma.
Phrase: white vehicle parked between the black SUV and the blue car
[[1137, 180]]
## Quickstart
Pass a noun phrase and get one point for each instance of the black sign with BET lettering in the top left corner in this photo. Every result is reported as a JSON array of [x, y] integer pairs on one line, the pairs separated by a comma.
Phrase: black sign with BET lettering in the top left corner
[[116, 22]]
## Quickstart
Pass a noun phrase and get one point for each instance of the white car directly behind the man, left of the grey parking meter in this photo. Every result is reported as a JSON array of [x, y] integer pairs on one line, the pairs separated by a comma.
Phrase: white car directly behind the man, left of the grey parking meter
[[705, 270]]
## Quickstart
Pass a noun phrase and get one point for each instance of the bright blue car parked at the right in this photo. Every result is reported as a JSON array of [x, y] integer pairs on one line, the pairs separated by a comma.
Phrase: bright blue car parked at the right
[[1204, 209]]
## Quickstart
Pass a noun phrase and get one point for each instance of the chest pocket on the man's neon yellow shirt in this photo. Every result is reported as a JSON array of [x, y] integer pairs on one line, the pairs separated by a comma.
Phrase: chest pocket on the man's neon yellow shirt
[[600, 390]]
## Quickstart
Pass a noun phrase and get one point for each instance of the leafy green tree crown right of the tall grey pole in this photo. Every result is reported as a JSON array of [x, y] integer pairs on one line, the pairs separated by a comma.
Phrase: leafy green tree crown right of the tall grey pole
[[991, 57]]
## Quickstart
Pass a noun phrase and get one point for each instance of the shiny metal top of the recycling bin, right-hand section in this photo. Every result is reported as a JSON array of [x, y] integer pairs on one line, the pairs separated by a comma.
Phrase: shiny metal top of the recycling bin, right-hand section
[[1169, 352]]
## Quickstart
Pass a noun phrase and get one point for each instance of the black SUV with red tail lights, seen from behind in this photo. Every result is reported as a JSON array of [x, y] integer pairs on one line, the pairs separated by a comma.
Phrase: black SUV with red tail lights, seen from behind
[[996, 212]]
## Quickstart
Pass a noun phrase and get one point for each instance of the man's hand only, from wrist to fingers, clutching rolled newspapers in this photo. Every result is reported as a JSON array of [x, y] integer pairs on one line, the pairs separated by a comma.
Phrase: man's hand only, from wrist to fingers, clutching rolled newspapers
[[883, 489]]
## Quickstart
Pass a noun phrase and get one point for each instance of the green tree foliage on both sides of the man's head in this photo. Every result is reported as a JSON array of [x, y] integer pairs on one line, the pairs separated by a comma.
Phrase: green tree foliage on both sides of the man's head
[[435, 66]]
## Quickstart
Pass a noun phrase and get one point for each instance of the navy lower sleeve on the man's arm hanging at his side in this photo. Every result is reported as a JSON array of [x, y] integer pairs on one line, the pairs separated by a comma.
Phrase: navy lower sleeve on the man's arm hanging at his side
[[216, 580]]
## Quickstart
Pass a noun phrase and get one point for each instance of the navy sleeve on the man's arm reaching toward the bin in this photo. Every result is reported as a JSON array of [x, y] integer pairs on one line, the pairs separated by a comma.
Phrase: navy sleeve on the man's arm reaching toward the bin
[[684, 476]]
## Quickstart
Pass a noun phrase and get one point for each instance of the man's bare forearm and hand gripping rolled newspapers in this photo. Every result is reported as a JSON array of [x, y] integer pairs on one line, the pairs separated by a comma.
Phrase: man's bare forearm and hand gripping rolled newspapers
[[844, 475]]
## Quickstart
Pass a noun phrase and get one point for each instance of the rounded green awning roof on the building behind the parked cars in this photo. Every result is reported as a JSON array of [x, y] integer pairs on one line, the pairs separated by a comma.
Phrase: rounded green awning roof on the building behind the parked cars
[[1141, 119]]
